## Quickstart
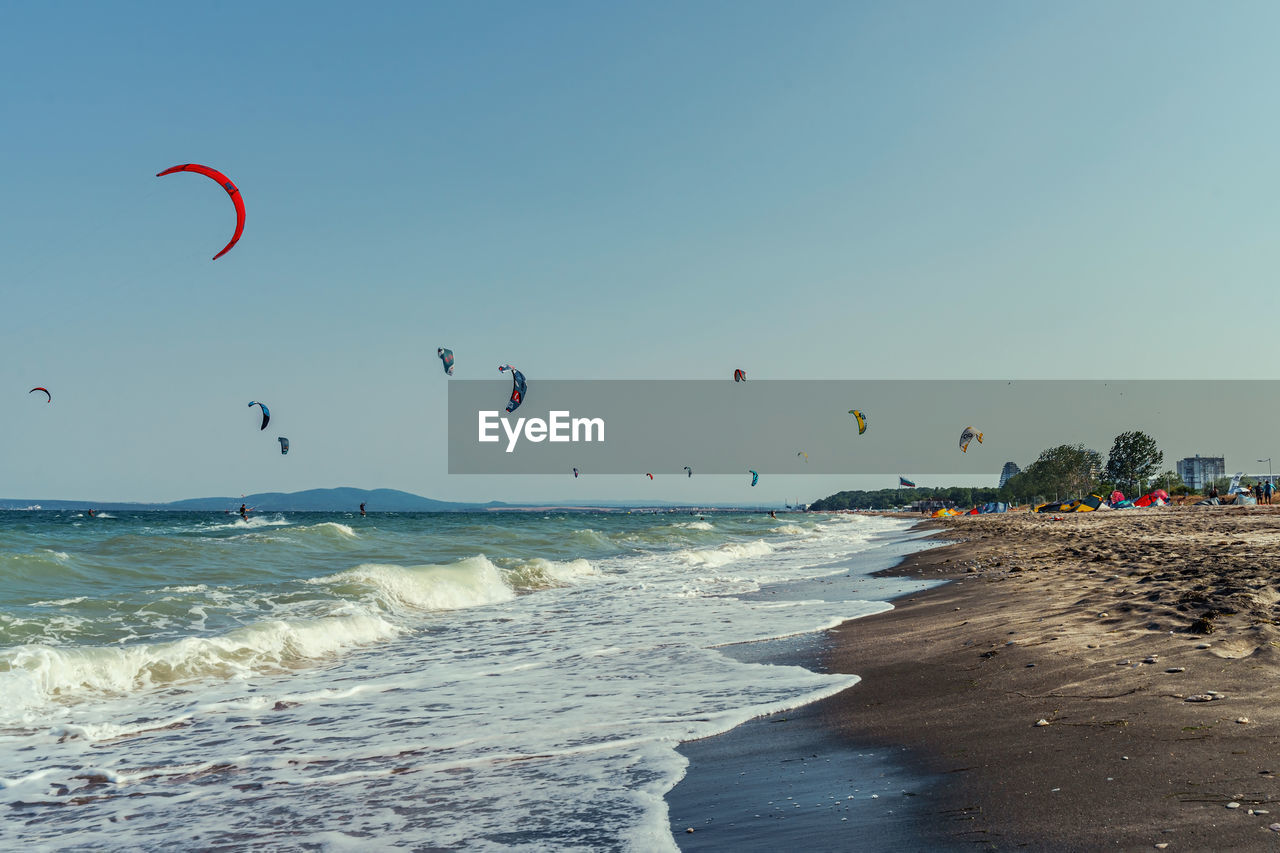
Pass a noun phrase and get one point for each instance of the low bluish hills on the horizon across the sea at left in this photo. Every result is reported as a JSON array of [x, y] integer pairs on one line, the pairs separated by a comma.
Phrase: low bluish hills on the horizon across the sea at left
[[312, 500]]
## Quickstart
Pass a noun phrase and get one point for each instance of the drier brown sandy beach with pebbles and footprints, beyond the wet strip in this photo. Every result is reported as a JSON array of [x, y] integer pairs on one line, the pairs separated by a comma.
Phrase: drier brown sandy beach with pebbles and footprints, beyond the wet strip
[[1103, 682]]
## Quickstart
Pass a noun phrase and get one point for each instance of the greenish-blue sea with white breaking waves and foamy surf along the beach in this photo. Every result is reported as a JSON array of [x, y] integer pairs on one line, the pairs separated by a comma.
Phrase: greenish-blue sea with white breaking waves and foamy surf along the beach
[[427, 682]]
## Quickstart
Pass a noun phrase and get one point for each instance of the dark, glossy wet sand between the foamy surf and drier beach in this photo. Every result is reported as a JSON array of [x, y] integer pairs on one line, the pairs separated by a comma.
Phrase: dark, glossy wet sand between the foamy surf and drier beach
[[790, 779]]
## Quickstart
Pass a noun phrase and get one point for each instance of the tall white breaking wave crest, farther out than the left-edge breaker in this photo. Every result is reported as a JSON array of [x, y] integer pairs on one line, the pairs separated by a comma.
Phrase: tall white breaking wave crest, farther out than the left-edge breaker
[[472, 582]]
